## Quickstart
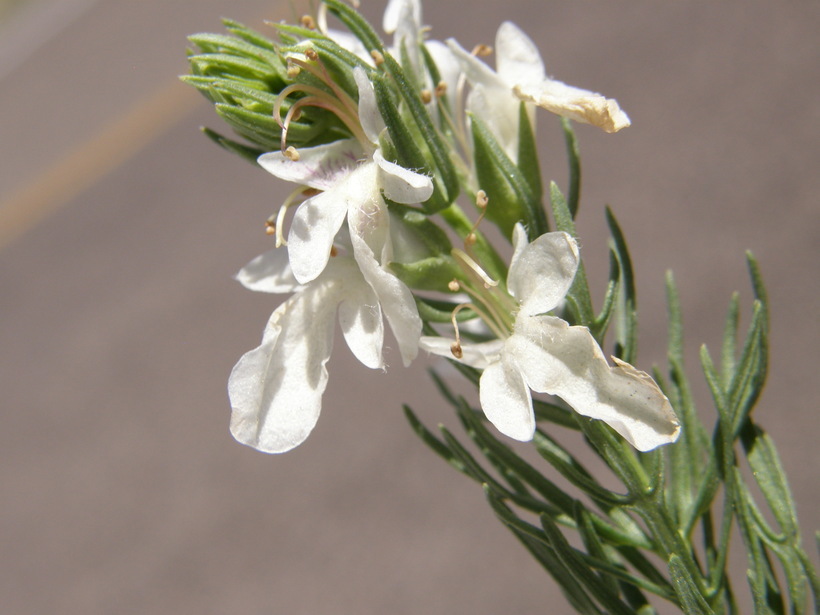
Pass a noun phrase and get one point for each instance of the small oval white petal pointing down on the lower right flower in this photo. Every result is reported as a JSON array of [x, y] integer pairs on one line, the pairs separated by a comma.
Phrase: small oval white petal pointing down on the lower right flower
[[506, 400]]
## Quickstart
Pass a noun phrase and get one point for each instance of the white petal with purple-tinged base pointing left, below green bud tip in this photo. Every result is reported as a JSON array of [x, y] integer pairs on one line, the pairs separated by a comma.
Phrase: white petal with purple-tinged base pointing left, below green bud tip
[[320, 167]]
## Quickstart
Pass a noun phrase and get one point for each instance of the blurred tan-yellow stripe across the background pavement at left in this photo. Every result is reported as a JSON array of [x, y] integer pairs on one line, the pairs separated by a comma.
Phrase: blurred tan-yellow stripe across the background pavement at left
[[104, 151]]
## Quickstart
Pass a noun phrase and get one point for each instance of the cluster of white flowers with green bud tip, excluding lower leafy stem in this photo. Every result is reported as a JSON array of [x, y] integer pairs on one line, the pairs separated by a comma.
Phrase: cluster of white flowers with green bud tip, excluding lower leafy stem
[[380, 142]]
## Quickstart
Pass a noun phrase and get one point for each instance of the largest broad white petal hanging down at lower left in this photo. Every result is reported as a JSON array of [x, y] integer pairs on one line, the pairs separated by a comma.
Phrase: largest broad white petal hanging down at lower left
[[276, 389]]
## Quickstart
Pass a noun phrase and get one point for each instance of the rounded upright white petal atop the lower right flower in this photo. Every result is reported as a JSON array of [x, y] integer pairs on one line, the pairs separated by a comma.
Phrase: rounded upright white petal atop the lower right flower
[[541, 272]]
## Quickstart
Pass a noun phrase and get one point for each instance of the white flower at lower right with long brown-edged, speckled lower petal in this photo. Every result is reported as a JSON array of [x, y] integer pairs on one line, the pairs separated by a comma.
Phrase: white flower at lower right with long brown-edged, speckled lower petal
[[545, 354]]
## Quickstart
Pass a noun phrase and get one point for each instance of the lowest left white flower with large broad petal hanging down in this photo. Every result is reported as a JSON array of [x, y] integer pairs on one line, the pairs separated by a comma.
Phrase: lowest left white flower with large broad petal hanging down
[[276, 389]]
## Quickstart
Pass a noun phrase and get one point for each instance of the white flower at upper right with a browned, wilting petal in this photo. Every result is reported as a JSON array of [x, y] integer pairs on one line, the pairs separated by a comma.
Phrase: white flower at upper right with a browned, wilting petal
[[520, 72]]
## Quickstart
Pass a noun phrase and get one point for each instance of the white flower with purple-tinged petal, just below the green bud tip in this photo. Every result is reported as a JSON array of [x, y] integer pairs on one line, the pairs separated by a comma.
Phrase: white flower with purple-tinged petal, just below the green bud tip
[[350, 175]]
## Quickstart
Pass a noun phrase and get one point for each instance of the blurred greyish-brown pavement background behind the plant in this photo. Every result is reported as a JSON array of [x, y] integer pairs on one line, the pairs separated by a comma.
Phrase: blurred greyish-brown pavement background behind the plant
[[121, 226]]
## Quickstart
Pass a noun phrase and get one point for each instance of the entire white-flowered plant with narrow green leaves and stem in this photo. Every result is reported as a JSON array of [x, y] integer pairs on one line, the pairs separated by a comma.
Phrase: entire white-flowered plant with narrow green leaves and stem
[[381, 142]]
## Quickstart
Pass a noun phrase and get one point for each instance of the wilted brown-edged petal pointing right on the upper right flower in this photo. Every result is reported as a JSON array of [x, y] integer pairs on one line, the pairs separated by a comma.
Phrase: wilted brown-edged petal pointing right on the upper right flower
[[574, 103]]
